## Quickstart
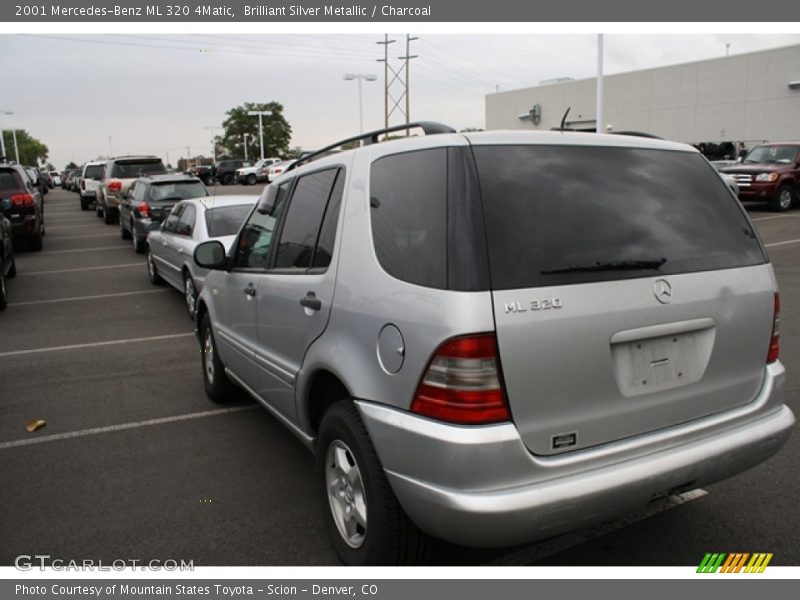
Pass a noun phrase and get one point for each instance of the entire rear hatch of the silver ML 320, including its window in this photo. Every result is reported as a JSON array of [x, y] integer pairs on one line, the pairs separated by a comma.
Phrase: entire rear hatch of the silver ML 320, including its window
[[630, 291]]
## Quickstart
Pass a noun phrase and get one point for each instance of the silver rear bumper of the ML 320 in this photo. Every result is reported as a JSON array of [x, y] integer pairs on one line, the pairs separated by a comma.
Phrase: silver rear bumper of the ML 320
[[480, 486]]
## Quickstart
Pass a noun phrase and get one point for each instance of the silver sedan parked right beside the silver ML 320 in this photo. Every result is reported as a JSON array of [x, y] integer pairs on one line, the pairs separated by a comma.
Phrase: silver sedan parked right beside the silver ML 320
[[170, 248]]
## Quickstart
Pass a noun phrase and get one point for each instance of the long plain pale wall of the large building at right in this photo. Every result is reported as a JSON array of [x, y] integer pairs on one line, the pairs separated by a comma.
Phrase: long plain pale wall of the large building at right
[[744, 97]]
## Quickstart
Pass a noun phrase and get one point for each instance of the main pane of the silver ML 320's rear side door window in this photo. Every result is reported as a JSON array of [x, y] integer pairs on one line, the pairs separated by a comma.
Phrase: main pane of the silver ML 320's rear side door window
[[303, 221]]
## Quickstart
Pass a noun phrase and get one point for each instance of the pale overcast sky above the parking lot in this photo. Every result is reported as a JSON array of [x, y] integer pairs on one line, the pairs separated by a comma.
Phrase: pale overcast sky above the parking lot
[[159, 93]]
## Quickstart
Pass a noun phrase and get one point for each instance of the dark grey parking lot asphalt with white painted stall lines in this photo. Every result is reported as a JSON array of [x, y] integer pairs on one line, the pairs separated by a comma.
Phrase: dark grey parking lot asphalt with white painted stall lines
[[135, 463]]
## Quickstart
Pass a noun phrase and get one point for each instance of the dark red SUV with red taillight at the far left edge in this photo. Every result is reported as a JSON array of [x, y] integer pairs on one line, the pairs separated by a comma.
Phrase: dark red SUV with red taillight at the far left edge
[[25, 206]]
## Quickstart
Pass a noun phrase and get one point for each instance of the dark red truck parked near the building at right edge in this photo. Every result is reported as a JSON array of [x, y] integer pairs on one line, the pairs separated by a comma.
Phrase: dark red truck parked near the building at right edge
[[771, 173]]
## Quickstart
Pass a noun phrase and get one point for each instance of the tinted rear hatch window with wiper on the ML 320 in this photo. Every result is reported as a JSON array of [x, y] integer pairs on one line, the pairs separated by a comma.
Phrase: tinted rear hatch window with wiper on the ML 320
[[556, 215]]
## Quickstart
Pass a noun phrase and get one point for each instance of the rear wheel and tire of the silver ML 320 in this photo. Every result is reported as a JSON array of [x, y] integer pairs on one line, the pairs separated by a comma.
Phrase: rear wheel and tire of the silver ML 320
[[352, 482]]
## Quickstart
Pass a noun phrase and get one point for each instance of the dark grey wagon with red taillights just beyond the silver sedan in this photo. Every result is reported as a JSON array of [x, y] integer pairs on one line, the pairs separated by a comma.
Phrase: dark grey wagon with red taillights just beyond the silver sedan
[[148, 199]]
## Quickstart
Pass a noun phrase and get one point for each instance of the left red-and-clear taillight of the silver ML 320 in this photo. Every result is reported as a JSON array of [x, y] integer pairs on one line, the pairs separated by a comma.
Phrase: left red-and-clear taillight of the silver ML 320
[[462, 383]]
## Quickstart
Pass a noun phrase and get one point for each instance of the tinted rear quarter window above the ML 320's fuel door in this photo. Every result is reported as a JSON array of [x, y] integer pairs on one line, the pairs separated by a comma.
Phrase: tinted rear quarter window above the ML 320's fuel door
[[408, 196]]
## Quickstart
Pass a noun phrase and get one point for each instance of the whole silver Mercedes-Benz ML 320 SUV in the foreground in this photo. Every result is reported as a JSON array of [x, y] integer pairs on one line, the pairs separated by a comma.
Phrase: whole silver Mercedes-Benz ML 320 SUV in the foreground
[[491, 338]]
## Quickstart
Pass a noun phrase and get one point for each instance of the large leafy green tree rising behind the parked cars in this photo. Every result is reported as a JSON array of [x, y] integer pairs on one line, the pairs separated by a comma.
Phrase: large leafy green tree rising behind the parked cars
[[277, 131]]
